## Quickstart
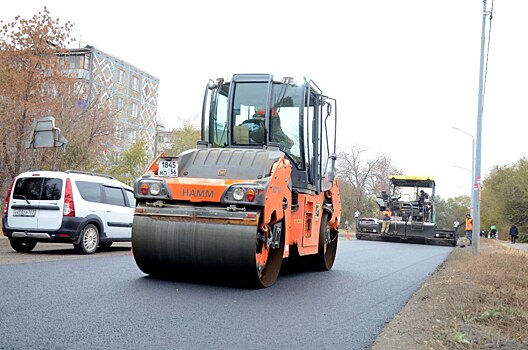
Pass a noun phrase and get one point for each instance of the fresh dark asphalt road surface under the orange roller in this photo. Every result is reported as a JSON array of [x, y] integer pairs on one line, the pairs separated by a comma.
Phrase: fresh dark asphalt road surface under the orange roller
[[108, 303]]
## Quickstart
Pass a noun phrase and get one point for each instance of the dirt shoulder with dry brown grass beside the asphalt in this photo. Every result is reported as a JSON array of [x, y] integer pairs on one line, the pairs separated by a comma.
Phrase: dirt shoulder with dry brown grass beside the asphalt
[[470, 302]]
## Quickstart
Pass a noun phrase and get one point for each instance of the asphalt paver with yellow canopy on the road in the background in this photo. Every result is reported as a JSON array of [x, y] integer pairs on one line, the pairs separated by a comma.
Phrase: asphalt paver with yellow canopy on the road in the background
[[411, 202]]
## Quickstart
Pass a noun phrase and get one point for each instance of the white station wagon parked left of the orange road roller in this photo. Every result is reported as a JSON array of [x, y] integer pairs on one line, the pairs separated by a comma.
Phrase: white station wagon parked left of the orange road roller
[[86, 209]]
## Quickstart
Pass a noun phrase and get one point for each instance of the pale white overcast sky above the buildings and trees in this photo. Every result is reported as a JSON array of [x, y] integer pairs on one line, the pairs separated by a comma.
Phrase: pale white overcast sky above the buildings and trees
[[404, 73]]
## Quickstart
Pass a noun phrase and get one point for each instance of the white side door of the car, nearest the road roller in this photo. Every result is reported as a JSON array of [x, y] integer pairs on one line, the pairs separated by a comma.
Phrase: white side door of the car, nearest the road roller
[[118, 213]]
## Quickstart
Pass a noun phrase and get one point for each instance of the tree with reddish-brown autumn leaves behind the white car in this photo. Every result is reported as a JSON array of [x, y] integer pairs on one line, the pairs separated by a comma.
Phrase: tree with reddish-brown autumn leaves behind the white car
[[33, 84]]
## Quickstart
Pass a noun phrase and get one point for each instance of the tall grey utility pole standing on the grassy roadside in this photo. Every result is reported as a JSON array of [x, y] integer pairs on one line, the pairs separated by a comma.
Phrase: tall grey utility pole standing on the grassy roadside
[[477, 179]]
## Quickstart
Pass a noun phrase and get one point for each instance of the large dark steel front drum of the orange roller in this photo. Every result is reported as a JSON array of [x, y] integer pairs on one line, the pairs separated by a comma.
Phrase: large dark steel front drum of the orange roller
[[211, 250]]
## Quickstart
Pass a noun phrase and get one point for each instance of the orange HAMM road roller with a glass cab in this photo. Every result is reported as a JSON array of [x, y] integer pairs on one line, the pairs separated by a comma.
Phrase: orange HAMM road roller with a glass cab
[[259, 187]]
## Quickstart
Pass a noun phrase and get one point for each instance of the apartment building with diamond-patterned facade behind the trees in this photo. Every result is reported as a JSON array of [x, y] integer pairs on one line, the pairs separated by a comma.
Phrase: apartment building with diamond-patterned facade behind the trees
[[132, 95]]
